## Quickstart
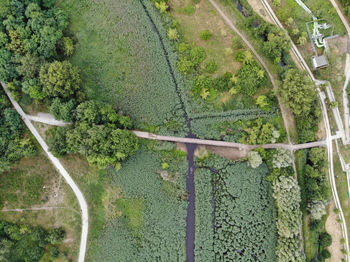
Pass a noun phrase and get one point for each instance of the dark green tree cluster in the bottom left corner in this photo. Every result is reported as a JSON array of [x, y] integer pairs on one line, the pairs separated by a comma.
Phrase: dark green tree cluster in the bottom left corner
[[21, 242]]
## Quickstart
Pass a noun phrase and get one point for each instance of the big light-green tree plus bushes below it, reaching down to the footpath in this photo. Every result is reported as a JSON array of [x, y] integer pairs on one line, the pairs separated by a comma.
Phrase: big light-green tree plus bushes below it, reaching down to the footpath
[[299, 94]]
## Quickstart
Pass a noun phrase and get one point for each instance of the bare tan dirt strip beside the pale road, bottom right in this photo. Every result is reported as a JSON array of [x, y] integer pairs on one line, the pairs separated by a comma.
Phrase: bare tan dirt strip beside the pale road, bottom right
[[334, 229]]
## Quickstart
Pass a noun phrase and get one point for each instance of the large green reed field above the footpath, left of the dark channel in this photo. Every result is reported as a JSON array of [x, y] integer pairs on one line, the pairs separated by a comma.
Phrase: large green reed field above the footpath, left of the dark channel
[[121, 58]]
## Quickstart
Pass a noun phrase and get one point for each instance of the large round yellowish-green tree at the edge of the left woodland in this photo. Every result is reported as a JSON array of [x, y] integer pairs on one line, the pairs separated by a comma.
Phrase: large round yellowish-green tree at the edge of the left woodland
[[60, 79]]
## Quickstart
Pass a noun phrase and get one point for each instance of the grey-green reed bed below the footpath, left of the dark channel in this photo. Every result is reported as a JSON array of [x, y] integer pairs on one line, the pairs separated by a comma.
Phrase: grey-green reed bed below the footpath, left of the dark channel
[[162, 233]]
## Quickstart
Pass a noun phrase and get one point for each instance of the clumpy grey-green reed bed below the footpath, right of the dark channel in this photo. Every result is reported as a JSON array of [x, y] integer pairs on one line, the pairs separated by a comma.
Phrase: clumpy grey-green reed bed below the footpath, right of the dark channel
[[244, 214]]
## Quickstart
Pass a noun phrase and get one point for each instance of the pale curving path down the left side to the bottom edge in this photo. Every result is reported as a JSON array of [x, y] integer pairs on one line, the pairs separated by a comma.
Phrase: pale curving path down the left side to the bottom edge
[[63, 172]]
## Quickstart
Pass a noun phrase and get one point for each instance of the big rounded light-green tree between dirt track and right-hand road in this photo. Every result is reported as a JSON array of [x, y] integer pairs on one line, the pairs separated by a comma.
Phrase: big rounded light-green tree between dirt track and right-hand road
[[298, 92]]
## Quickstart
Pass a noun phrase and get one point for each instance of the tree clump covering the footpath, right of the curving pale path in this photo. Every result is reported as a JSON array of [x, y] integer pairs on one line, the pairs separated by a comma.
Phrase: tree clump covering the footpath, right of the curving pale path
[[99, 133]]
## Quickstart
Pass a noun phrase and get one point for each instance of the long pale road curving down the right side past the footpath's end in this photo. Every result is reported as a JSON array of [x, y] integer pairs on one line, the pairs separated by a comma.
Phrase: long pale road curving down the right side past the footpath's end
[[327, 126]]
